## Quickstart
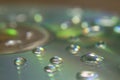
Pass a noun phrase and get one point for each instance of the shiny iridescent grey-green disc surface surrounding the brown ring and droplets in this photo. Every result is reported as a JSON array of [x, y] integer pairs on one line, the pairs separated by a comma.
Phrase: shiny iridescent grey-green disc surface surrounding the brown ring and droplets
[[72, 68]]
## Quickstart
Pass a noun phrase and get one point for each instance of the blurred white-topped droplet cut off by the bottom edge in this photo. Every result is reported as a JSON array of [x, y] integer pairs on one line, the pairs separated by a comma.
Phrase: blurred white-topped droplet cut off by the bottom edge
[[87, 75]]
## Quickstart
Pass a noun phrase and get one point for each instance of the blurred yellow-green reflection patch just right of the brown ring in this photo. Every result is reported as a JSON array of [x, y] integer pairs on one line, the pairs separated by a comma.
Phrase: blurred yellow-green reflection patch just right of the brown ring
[[72, 31]]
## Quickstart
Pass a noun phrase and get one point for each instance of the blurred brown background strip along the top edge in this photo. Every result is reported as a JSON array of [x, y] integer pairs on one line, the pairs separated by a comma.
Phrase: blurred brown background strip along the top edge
[[105, 5]]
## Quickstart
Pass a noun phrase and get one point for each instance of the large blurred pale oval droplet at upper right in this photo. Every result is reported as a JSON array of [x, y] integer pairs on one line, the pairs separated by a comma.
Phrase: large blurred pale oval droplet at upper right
[[107, 21]]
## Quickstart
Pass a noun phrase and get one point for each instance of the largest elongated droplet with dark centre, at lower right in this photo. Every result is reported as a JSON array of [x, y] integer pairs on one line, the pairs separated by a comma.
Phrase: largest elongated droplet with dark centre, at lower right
[[91, 58]]
